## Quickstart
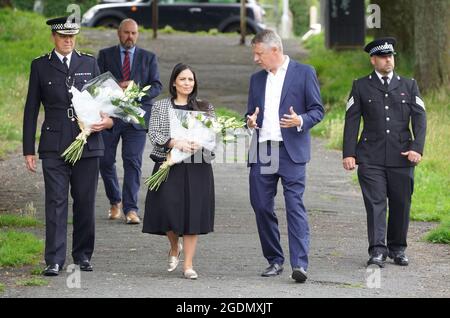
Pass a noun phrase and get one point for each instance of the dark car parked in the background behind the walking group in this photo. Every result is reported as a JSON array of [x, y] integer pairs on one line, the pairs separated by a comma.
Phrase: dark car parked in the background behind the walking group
[[183, 15]]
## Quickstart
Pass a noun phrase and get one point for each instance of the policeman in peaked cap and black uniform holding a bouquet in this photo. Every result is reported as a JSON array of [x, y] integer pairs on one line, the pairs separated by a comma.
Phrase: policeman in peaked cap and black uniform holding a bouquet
[[51, 78]]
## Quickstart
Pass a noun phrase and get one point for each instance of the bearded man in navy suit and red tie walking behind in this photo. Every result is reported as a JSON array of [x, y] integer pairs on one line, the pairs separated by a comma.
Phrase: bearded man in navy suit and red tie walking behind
[[127, 62]]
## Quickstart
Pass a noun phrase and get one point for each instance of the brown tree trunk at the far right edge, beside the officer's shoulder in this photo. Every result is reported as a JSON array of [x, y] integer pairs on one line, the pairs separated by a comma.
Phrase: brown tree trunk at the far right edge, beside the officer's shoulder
[[432, 43]]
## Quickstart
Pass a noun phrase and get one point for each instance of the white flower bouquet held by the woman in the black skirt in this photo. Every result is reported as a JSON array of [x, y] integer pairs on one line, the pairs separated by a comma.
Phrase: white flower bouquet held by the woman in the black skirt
[[198, 127]]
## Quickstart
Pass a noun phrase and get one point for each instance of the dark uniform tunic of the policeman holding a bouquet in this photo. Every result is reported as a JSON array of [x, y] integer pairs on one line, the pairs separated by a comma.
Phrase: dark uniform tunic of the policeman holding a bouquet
[[49, 84]]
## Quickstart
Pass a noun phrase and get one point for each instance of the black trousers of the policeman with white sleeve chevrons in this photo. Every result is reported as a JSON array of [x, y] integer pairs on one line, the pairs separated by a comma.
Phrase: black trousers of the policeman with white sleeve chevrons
[[382, 186]]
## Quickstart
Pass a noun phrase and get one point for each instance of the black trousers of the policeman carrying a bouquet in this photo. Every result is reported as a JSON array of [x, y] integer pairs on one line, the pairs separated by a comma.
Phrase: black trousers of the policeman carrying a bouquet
[[82, 179]]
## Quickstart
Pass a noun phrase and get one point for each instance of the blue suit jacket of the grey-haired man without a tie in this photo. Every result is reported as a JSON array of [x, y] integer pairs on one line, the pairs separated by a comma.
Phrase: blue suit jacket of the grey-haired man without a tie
[[300, 90]]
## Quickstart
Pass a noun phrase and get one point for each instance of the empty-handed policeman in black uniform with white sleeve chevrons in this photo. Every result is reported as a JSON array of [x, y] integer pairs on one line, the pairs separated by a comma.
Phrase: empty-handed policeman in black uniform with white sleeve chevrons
[[387, 151]]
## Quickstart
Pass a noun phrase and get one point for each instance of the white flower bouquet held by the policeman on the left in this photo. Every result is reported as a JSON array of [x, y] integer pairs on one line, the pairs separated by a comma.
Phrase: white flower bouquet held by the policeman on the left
[[103, 95]]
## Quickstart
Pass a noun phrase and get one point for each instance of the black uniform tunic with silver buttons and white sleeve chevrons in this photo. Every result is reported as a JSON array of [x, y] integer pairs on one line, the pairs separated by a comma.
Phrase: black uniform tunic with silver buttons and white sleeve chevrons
[[387, 115]]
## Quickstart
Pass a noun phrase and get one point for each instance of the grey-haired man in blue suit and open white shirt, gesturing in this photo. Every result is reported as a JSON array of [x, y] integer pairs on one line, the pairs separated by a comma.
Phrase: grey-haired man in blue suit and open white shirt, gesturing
[[284, 103]]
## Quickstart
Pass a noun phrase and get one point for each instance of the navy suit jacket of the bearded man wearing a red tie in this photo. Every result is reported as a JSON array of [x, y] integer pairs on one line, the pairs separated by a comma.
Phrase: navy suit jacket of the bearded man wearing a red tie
[[144, 71]]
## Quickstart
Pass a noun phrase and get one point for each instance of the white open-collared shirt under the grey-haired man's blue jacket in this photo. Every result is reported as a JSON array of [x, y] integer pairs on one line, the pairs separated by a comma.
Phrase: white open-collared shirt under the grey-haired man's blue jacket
[[270, 129]]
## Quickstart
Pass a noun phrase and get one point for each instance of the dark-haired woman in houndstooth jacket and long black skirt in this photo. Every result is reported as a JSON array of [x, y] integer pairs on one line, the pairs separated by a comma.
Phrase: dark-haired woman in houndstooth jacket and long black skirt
[[184, 204]]
